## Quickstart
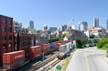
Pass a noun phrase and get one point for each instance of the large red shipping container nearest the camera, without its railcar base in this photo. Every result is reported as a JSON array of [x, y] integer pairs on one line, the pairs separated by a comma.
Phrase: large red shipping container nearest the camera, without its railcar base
[[12, 57]]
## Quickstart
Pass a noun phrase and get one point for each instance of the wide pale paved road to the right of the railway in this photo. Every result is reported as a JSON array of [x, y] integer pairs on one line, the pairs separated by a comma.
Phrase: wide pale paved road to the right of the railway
[[89, 59]]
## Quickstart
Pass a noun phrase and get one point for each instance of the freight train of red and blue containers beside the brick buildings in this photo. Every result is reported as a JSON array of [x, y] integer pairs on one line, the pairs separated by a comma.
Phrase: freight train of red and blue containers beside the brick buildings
[[13, 60]]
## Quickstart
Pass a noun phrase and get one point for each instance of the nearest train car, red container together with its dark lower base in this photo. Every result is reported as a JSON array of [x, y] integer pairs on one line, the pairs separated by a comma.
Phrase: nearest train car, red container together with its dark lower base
[[14, 59]]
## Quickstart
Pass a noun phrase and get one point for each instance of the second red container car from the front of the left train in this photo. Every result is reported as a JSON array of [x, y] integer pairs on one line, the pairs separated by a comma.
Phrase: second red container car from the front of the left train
[[36, 51]]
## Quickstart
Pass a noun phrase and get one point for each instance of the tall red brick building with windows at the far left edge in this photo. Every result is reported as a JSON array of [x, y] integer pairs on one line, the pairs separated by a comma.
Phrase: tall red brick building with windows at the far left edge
[[6, 33]]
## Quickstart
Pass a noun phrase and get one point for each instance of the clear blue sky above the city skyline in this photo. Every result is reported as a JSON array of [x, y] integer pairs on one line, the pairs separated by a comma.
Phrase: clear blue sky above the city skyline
[[55, 13]]
